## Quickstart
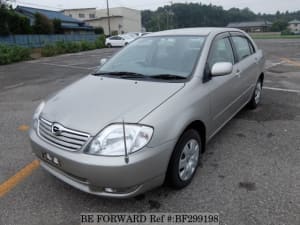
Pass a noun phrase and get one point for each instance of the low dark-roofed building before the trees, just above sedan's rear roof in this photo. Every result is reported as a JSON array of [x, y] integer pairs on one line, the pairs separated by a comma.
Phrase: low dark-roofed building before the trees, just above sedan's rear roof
[[252, 26]]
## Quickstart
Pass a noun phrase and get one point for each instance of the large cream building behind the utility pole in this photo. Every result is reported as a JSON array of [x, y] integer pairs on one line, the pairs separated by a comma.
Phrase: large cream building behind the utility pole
[[122, 19]]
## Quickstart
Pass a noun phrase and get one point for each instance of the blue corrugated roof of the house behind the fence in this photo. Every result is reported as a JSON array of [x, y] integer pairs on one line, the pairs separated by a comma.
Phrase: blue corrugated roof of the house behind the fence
[[48, 13]]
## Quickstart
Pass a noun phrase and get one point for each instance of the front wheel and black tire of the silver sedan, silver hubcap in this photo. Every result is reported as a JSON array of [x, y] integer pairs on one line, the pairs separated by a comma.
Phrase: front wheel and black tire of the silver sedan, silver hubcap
[[185, 159]]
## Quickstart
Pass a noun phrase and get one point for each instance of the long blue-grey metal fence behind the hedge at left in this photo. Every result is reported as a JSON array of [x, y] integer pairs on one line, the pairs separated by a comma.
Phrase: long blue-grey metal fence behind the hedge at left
[[37, 41]]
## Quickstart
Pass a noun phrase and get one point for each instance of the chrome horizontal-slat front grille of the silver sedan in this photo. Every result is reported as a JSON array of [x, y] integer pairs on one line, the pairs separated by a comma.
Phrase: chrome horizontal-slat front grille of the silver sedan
[[68, 139]]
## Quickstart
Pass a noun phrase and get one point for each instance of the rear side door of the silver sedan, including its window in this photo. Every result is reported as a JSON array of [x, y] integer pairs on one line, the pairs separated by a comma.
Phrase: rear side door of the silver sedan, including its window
[[247, 65]]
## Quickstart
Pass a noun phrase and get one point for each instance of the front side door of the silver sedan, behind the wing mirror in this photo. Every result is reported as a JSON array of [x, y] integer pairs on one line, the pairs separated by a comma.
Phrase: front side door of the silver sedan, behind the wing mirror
[[224, 90]]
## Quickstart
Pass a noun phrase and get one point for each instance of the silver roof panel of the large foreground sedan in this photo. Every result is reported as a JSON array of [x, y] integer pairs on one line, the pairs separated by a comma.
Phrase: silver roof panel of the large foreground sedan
[[203, 31]]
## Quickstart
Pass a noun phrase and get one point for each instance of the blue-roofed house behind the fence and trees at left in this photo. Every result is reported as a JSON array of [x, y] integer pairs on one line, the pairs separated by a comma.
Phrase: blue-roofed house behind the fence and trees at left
[[68, 24]]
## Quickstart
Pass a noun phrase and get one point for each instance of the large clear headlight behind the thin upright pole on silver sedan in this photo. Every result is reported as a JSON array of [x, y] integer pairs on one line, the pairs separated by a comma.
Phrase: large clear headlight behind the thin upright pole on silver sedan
[[110, 141]]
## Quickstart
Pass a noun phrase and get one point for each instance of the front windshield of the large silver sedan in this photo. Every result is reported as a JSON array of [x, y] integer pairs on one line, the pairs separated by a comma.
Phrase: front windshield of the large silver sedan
[[157, 56]]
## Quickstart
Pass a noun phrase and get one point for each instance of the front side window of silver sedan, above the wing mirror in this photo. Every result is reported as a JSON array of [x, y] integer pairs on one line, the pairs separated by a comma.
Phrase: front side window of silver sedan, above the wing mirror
[[221, 51]]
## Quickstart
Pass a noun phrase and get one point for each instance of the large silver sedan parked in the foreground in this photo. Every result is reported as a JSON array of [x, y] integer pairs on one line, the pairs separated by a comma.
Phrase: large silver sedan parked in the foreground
[[145, 116]]
